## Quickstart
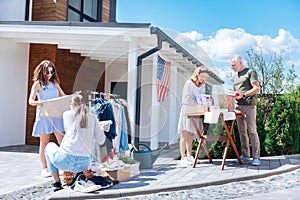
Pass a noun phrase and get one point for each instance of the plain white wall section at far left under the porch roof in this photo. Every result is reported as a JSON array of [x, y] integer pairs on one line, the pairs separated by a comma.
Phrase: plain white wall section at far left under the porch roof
[[13, 86]]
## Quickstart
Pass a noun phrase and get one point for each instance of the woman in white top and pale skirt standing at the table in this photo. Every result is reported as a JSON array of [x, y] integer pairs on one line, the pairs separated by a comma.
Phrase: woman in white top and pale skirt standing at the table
[[194, 86]]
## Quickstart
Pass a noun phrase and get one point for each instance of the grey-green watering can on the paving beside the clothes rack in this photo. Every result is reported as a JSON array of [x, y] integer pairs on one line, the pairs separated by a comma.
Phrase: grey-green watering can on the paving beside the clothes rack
[[145, 156]]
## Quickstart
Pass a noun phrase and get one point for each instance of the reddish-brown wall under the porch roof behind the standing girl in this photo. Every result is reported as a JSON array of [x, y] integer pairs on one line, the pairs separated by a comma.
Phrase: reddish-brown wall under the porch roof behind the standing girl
[[67, 65]]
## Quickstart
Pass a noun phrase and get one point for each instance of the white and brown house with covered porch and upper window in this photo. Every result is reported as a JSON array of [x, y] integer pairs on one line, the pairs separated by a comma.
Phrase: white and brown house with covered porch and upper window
[[92, 52]]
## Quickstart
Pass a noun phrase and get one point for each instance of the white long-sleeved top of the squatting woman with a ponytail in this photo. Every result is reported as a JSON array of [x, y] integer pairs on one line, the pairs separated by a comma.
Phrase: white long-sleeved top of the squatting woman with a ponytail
[[80, 141]]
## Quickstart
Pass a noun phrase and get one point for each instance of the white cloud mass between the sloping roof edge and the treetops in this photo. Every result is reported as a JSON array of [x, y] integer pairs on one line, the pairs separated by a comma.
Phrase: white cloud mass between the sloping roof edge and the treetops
[[216, 50]]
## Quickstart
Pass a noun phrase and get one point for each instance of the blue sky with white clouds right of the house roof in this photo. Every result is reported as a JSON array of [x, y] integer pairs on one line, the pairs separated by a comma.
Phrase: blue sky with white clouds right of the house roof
[[223, 28]]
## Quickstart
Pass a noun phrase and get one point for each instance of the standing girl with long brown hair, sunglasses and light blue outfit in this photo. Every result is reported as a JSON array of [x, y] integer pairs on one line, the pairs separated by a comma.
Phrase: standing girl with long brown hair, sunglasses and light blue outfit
[[45, 86]]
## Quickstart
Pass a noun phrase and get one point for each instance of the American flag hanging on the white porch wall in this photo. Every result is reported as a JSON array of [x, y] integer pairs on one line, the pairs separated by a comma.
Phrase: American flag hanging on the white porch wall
[[162, 79]]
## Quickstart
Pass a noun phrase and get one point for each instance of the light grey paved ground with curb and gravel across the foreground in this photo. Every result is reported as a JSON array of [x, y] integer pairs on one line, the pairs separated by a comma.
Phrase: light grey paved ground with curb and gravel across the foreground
[[21, 172]]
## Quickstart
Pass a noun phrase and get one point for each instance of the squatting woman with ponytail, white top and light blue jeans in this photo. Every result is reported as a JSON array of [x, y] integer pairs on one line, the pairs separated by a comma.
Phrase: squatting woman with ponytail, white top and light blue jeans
[[82, 131]]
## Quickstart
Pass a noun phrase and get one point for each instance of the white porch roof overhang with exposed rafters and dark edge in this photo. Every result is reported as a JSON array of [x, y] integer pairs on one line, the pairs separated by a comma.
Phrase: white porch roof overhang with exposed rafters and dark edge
[[105, 42]]
